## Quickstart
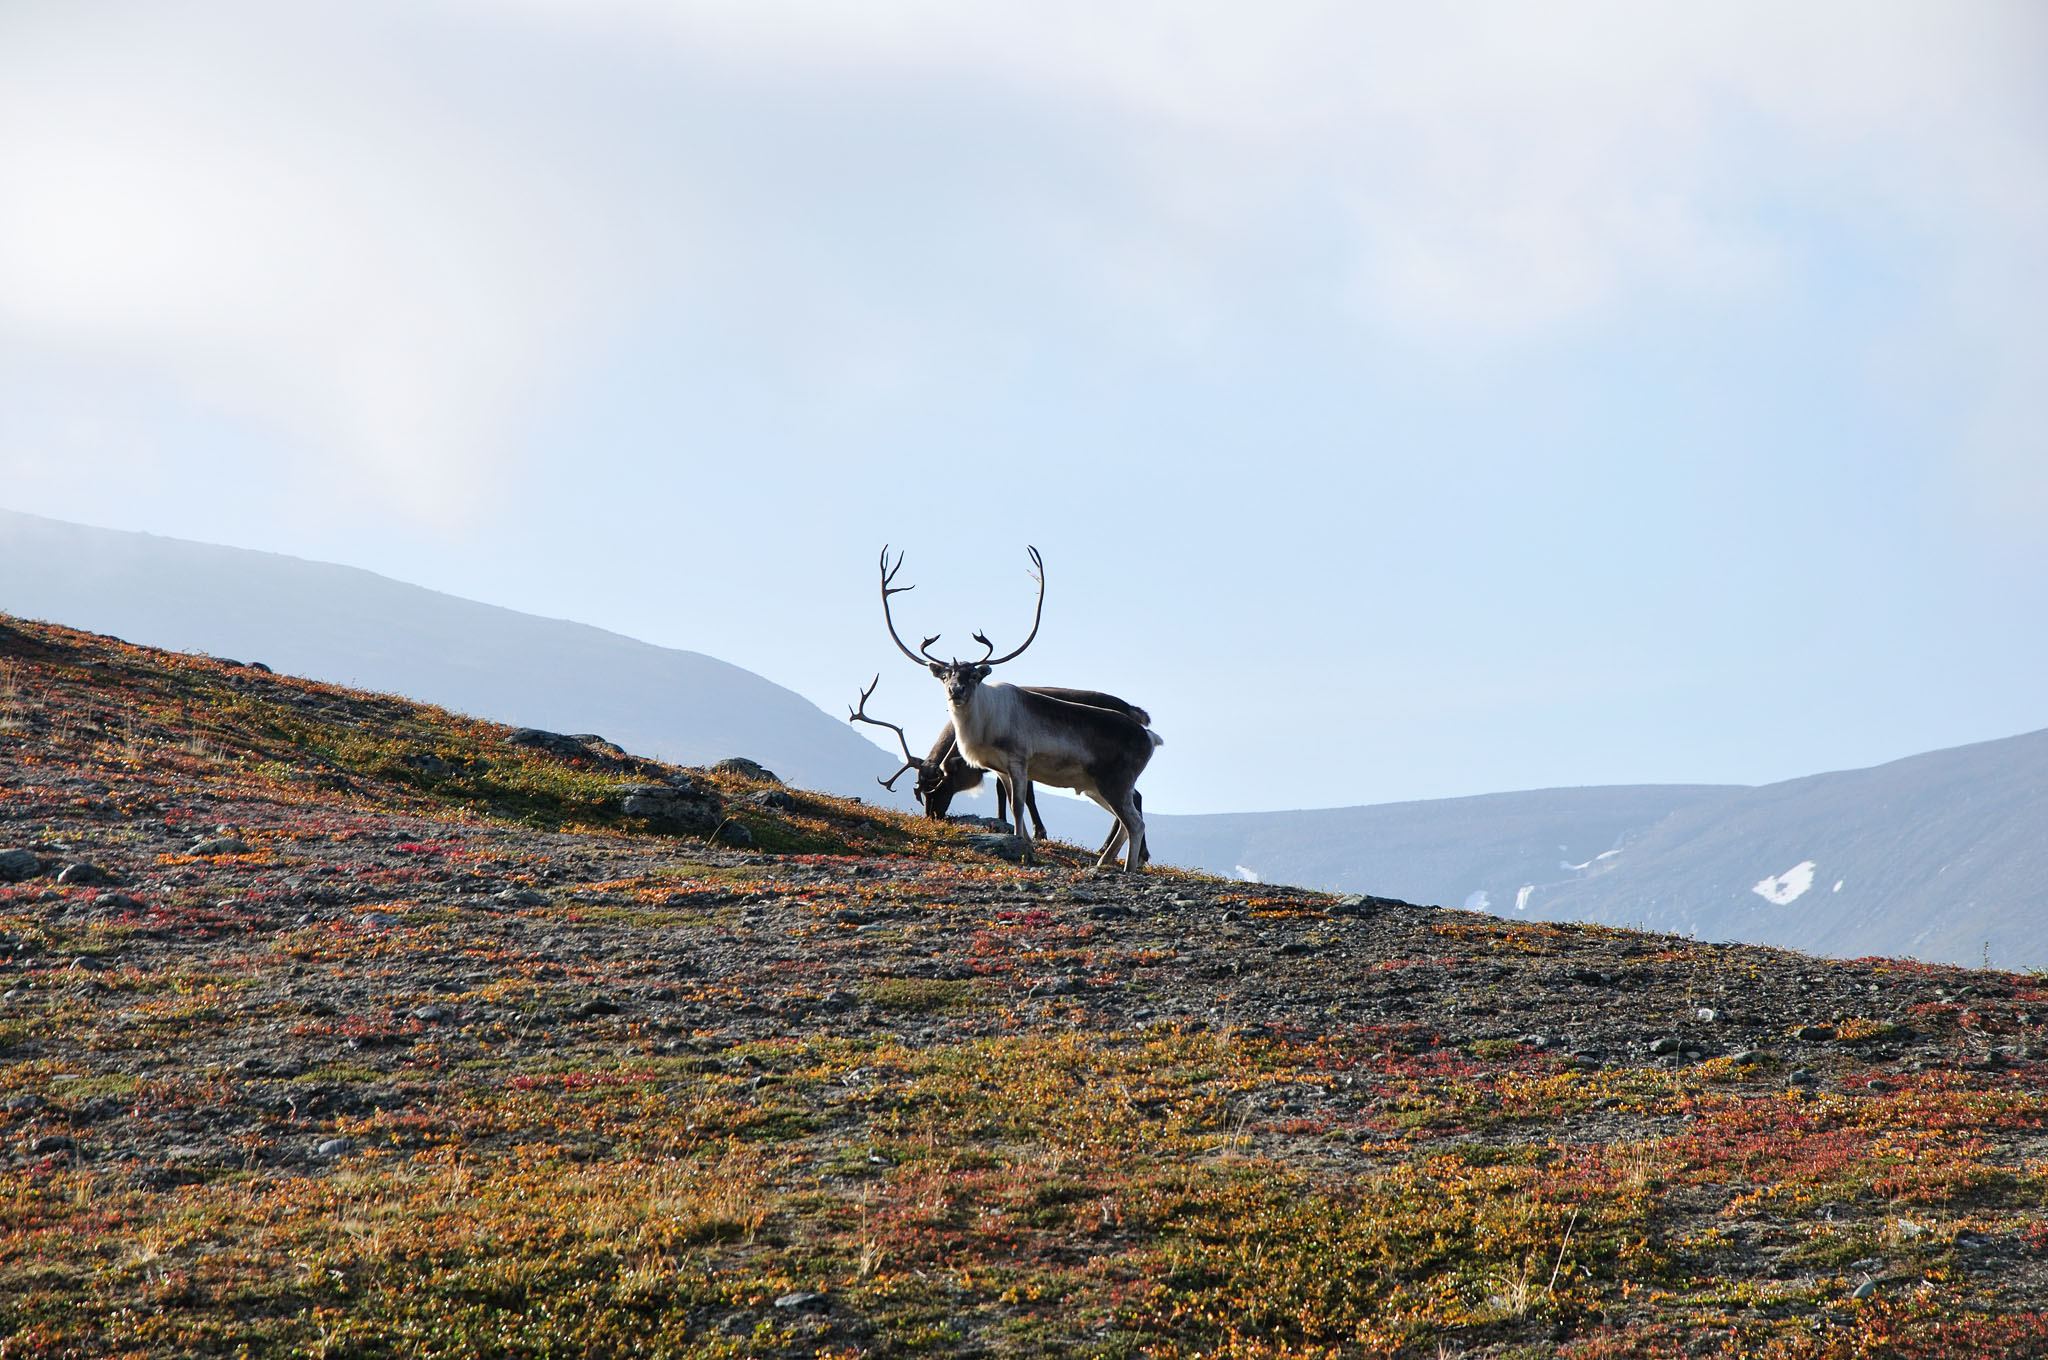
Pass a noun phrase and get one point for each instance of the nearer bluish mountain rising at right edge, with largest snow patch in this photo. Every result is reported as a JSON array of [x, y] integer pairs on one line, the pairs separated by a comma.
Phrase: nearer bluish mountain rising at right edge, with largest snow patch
[[1936, 857]]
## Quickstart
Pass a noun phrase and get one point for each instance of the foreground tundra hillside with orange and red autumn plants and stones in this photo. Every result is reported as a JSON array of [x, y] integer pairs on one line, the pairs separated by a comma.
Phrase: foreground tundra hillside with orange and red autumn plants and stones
[[345, 1027]]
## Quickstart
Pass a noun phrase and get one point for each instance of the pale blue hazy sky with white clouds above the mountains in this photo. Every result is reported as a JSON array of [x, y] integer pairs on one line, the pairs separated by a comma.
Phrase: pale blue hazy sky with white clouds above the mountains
[[1408, 400]]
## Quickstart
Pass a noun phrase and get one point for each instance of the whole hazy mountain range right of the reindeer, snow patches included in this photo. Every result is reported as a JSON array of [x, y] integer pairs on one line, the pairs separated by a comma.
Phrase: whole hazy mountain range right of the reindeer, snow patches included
[[1940, 857]]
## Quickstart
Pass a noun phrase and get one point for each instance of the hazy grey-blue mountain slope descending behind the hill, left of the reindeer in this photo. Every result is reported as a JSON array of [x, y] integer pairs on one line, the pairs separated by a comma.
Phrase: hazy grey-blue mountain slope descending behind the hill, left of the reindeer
[[355, 628]]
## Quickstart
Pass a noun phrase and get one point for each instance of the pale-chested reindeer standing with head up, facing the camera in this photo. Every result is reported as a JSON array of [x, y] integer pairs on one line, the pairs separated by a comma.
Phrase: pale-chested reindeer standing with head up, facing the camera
[[1025, 736]]
